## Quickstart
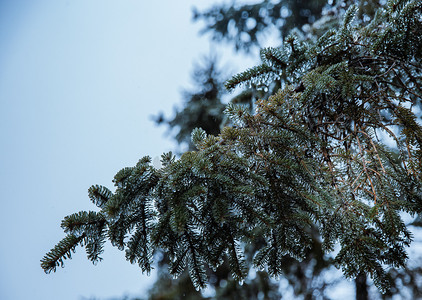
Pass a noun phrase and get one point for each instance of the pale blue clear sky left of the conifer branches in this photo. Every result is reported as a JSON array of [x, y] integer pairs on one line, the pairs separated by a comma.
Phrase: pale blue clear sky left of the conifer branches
[[79, 82]]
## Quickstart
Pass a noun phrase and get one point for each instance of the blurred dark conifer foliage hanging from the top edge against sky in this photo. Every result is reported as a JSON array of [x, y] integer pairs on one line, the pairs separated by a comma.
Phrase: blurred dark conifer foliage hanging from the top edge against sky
[[243, 24]]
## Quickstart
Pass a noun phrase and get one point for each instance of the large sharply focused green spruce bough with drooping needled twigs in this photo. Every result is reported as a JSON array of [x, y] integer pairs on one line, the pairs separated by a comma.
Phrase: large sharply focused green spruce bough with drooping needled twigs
[[311, 156]]
